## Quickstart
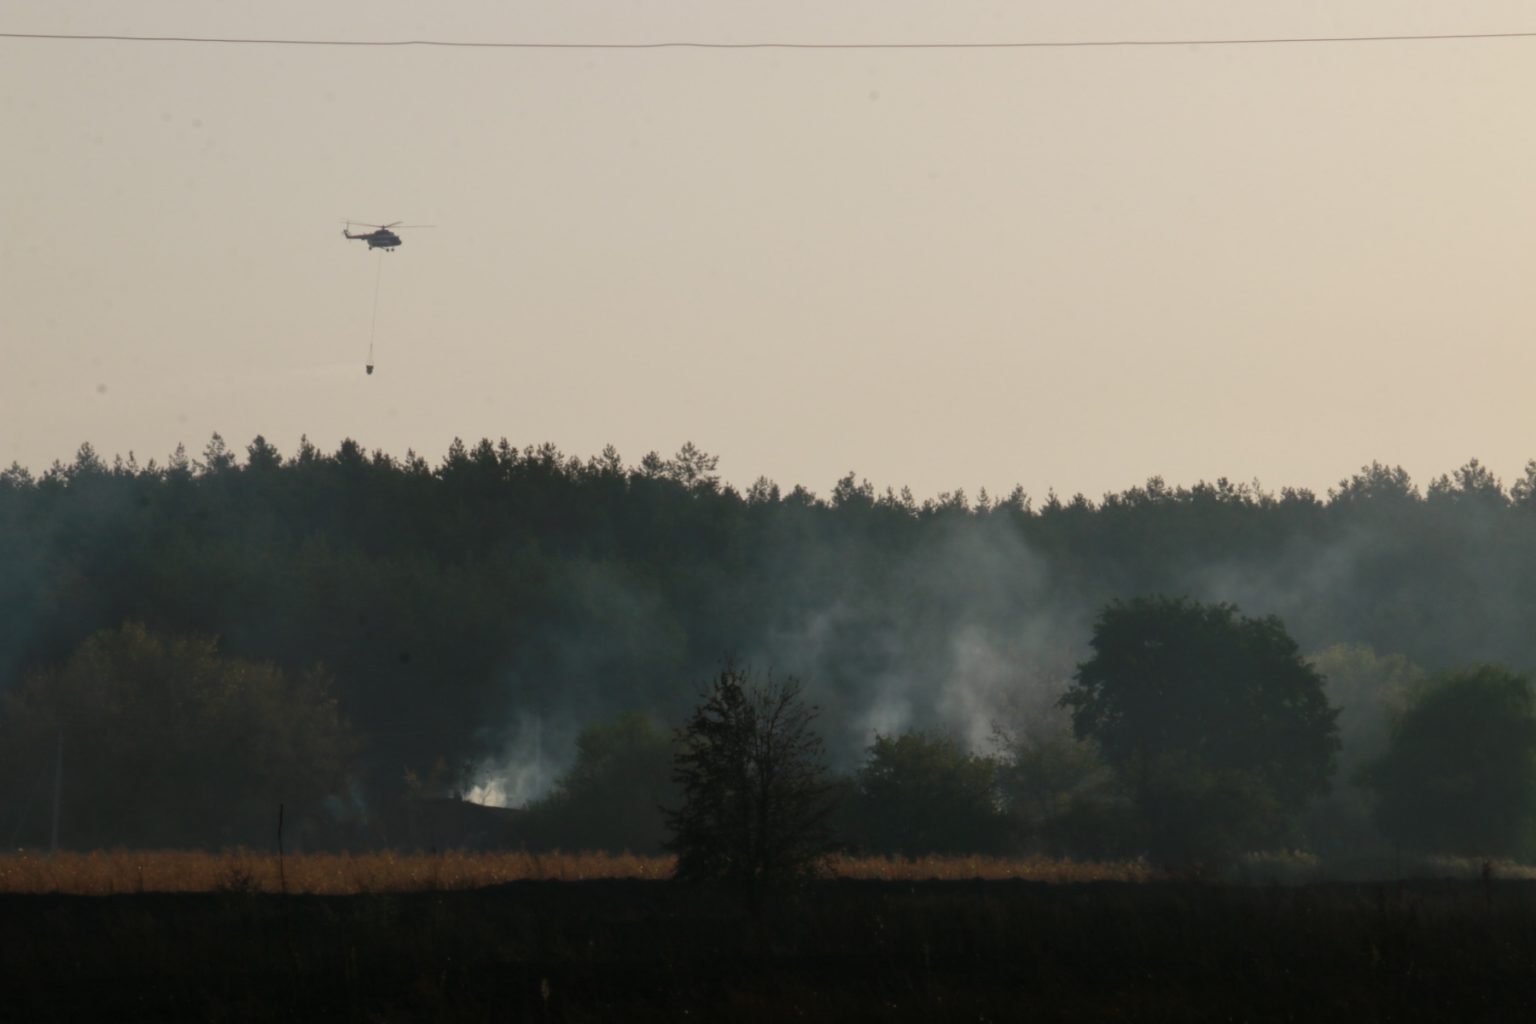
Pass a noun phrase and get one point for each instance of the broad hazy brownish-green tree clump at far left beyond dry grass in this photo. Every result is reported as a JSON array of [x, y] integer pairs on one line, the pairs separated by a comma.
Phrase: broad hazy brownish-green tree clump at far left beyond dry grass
[[170, 744]]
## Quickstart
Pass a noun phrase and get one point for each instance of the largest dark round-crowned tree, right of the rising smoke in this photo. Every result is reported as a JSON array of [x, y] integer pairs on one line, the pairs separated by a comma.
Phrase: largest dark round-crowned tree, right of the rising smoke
[[1217, 727]]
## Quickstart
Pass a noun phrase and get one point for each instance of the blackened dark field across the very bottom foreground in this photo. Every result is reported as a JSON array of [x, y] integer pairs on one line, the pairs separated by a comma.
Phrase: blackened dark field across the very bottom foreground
[[635, 951]]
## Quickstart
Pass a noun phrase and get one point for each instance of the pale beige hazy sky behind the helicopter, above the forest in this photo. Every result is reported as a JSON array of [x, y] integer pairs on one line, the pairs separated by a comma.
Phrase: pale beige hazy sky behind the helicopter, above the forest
[[1065, 269]]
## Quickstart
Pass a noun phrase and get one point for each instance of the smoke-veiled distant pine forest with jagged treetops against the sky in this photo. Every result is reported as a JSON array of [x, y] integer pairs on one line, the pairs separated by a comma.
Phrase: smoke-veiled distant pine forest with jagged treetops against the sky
[[475, 613]]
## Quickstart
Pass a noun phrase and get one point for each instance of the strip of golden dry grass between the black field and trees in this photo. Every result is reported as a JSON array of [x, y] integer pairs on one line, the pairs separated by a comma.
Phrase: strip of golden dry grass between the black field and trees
[[343, 874]]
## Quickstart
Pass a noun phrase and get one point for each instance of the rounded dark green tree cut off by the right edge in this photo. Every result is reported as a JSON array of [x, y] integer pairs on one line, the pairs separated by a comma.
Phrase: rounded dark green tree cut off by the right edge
[[1460, 771]]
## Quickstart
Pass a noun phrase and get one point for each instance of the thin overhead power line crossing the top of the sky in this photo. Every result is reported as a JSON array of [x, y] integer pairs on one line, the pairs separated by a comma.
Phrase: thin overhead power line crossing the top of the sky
[[1102, 44]]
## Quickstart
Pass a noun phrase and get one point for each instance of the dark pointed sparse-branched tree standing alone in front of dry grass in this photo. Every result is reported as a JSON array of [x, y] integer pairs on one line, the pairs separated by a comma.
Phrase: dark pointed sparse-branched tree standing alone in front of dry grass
[[755, 793]]
